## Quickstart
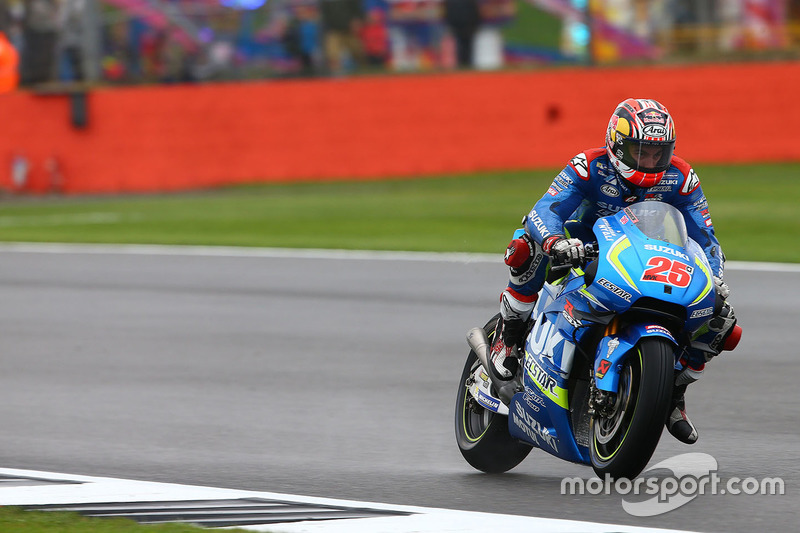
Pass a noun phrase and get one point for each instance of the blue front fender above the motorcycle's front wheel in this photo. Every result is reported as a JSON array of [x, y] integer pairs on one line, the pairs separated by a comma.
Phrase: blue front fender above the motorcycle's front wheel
[[612, 351]]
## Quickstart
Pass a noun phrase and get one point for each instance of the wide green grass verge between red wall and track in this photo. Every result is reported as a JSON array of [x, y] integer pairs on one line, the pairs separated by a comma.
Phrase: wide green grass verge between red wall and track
[[754, 209]]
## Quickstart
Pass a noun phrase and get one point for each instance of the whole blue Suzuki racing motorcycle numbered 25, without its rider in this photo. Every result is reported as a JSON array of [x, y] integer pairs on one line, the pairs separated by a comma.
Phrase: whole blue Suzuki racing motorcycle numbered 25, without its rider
[[604, 342]]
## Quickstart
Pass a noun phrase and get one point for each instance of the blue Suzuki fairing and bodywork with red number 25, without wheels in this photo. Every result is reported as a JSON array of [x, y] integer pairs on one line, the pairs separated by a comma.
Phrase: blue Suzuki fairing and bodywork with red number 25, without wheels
[[633, 268]]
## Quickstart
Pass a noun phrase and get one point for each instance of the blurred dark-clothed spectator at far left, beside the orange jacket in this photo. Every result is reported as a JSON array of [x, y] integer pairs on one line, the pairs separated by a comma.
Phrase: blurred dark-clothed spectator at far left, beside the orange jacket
[[40, 33]]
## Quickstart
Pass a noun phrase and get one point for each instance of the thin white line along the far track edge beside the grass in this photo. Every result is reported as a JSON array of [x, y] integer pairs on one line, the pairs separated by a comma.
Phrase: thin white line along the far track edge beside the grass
[[307, 253]]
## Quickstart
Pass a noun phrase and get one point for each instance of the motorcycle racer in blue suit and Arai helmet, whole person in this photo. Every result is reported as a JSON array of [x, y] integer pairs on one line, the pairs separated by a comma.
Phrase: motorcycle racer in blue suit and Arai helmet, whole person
[[637, 163]]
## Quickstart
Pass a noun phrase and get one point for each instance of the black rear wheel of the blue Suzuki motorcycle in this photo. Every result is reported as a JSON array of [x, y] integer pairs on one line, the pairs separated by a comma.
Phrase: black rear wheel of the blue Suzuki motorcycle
[[482, 435]]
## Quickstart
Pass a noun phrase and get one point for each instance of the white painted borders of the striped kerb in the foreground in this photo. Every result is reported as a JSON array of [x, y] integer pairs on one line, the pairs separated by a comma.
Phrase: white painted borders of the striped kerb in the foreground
[[95, 490]]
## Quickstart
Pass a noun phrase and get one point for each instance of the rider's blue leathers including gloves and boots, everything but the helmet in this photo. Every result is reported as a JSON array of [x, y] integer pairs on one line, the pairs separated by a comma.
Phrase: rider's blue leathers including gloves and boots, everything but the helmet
[[588, 188]]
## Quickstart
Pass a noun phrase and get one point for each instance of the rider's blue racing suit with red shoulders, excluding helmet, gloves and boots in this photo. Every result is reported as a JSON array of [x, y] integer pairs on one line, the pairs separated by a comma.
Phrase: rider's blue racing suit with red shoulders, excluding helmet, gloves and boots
[[589, 188]]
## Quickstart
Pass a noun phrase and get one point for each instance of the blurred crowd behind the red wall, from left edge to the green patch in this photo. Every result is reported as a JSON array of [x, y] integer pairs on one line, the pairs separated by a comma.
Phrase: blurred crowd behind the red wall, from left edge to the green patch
[[179, 40]]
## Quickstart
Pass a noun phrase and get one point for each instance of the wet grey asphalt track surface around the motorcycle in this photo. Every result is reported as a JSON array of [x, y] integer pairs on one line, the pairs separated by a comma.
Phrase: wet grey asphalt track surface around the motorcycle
[[337, 378]]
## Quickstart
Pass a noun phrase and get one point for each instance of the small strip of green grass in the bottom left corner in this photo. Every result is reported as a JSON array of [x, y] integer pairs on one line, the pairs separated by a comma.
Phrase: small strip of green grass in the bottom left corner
[[15, 520]]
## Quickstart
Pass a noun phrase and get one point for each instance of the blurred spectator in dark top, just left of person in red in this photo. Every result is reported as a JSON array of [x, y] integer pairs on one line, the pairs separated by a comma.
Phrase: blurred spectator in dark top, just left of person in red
[[341, 22]]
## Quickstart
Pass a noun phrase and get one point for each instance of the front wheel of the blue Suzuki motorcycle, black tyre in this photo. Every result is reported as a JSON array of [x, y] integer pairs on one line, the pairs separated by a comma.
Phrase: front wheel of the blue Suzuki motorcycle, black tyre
[[621, 444]]
